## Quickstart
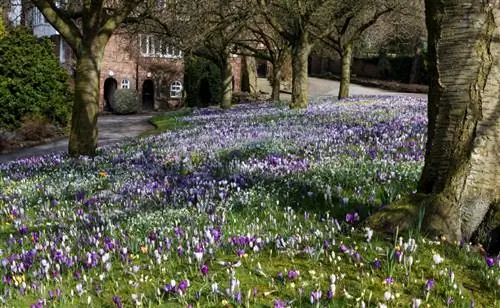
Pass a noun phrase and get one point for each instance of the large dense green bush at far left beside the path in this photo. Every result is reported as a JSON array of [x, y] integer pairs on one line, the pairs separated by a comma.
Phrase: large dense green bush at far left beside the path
[[32, 82]]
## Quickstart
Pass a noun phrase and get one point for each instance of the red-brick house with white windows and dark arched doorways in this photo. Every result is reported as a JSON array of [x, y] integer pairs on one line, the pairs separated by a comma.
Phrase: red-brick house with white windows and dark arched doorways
[[141, 62]]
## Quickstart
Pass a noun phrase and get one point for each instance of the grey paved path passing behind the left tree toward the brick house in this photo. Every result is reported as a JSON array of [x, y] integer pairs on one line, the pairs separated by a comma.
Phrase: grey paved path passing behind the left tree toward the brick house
[[112, 129]]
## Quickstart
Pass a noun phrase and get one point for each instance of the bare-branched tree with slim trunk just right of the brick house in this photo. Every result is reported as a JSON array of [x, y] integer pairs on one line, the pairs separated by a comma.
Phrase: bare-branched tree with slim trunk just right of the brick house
[[207, 29]]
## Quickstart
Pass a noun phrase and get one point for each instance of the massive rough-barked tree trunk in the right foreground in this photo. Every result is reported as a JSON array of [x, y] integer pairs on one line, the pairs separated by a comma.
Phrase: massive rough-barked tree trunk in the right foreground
[[462, 163]]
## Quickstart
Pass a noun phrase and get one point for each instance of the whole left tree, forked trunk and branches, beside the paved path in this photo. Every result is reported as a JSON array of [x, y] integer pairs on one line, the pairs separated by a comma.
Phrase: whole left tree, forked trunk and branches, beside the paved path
[[86, 26]]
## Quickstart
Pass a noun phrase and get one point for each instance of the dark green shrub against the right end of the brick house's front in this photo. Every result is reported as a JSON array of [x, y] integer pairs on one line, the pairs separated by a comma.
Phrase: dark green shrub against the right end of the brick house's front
[[202, 82]]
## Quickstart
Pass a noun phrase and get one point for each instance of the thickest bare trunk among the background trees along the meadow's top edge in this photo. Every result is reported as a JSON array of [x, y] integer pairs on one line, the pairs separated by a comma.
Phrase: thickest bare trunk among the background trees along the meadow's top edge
[[300, 55]]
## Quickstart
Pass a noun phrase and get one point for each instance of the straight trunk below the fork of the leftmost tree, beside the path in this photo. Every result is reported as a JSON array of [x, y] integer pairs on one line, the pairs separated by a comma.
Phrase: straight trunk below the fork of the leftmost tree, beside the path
[[83, 135]]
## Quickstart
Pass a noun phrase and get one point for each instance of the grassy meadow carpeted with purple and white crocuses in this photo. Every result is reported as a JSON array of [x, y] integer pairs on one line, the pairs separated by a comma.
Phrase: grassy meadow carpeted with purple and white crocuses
[[257, 206]]
